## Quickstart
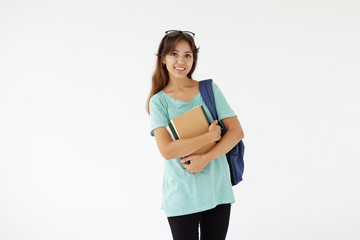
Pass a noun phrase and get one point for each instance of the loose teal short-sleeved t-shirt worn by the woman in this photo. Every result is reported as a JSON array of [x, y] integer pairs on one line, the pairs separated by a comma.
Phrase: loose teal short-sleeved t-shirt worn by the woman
[[182, 192]]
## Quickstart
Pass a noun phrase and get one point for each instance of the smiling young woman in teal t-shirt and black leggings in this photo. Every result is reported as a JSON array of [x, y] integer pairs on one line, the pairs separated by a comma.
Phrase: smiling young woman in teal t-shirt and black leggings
[[196, 189]]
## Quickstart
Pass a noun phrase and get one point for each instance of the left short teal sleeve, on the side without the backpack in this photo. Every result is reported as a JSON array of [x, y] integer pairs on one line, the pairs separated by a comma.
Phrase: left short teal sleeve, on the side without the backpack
[[158, 114]]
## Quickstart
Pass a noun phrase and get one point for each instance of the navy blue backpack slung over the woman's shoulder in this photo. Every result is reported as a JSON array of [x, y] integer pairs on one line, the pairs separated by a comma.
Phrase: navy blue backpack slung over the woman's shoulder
[[235, 156]]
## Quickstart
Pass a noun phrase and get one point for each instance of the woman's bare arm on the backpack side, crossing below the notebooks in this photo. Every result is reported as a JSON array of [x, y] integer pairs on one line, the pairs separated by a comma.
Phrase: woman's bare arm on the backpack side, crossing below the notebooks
[[233, 135]]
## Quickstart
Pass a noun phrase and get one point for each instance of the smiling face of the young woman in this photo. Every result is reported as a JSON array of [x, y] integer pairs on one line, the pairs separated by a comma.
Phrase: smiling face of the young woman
[[180, 60]]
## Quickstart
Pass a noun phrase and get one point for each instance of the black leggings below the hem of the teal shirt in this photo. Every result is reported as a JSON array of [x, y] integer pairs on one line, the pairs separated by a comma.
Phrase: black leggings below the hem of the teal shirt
[[213, 224]]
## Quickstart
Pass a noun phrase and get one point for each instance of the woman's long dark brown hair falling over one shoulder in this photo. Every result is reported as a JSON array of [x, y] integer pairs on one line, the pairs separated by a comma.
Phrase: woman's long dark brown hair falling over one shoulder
[[160, 77]]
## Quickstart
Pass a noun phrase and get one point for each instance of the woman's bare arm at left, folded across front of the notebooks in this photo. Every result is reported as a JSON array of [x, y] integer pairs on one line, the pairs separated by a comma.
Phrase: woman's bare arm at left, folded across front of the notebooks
[[183, 147]]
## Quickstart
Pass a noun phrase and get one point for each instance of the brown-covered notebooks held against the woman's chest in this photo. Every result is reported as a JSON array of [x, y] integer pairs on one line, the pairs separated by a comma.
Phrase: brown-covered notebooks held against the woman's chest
[[191, 124]]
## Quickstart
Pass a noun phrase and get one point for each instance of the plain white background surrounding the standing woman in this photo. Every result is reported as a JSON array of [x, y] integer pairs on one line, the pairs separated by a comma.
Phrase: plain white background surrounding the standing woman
[[76, 157]]
